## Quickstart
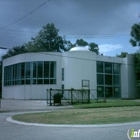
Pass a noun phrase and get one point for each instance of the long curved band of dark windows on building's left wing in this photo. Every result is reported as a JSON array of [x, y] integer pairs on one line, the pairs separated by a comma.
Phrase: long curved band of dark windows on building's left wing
[[40, 72]]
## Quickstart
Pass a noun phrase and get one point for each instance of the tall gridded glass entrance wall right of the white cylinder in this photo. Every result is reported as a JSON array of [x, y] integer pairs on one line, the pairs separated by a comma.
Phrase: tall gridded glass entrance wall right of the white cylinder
[[108, 79]]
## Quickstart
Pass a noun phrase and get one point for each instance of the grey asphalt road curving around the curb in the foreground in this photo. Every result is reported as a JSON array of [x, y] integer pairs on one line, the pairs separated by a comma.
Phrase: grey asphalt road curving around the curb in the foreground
[[11, 131]]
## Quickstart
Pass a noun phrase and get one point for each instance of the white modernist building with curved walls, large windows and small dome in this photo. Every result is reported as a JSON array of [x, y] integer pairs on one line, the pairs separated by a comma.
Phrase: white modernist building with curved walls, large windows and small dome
[[29, 75]]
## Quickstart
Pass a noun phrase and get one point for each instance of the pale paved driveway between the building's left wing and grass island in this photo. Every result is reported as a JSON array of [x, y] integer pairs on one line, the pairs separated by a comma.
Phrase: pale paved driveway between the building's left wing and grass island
[[27, 105]]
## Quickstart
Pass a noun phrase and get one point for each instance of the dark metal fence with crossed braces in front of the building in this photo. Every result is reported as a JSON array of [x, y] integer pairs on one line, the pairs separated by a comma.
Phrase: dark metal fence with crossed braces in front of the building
[[74, 96]]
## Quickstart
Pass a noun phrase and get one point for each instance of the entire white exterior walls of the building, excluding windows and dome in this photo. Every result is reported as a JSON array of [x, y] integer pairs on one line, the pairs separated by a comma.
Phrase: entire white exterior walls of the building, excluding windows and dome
[[78, 66]]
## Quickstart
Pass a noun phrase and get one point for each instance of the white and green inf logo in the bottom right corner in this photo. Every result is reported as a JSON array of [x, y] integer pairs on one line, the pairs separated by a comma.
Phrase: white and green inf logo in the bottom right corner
[[131, 133]]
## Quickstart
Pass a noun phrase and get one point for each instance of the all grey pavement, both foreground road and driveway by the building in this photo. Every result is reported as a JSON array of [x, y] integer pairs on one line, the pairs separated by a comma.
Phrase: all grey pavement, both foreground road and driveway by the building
[[12, 131]]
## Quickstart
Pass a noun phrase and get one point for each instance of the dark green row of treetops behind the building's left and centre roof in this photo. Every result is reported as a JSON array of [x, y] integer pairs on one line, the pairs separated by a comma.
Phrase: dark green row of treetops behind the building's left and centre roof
[[49, 40]]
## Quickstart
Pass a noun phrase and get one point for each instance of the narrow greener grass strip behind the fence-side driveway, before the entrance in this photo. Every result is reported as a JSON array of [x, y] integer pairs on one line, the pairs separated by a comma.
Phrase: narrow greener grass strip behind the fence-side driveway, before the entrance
[[109, 103]]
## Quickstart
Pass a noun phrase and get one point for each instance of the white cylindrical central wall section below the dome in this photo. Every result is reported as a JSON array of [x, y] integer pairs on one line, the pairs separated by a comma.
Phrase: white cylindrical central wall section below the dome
[[79, 65]]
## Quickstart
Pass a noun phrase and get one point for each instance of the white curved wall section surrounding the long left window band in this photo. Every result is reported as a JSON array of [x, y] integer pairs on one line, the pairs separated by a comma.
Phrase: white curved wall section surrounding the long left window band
[[31, 91]]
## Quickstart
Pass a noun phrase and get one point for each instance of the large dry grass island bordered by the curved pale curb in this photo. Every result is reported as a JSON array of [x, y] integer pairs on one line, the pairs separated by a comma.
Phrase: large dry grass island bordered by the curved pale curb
[[84, 116]]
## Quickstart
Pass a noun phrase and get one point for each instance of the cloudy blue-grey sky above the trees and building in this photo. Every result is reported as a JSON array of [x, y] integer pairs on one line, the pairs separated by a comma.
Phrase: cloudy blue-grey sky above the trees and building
[[105, 22]]
